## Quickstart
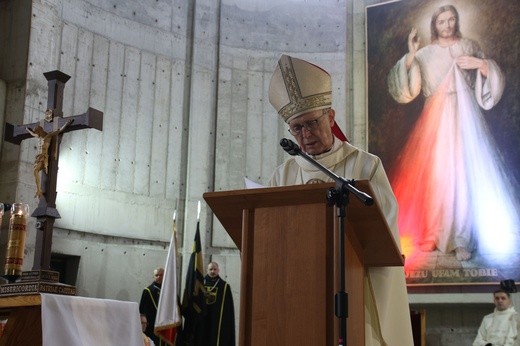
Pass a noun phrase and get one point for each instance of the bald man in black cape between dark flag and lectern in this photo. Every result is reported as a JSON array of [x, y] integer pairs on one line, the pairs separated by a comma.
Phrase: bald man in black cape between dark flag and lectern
[[220, 318]]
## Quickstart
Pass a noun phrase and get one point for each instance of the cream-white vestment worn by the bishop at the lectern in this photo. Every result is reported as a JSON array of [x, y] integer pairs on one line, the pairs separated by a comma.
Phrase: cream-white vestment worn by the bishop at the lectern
[[387, 314]]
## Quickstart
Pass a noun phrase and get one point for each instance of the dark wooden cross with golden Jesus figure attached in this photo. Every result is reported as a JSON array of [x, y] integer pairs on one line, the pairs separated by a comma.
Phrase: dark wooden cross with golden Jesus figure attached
[[50, 131]]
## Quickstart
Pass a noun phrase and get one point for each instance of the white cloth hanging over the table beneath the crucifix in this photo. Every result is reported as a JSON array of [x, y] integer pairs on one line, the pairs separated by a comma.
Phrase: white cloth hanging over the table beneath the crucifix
[[79, 321]]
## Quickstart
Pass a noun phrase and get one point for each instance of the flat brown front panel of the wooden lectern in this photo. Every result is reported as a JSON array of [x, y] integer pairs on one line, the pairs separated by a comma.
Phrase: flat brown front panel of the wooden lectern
[[288, 277]]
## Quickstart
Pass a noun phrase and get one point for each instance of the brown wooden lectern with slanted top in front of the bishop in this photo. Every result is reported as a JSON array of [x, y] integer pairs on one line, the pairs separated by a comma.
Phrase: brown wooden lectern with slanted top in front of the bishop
[[289, 277]]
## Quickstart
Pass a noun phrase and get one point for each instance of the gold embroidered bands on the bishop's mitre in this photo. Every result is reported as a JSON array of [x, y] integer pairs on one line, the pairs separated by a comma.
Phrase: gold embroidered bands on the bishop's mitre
[[299, 103]]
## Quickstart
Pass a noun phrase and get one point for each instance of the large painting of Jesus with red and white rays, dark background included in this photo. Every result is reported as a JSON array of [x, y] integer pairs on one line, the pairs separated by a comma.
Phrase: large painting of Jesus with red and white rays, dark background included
[[444, 117]]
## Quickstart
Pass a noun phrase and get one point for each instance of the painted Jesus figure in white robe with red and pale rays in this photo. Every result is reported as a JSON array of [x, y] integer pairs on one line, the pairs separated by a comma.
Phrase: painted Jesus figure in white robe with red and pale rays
[[452, 188]]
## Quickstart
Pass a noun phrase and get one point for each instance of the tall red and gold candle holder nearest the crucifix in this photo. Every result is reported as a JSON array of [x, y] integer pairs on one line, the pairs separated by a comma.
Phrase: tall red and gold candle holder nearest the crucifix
[[16, 241]]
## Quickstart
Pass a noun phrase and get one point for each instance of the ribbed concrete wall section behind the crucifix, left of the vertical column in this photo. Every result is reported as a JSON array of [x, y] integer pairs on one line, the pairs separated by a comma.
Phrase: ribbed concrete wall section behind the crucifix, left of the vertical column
[[128, 176]]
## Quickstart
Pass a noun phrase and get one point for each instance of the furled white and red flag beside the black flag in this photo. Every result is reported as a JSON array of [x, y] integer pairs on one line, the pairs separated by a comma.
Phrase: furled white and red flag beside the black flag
[[168, 312]]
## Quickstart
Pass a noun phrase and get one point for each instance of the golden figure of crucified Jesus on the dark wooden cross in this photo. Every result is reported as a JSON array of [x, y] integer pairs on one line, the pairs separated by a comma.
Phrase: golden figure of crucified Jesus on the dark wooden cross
[[42, 158]]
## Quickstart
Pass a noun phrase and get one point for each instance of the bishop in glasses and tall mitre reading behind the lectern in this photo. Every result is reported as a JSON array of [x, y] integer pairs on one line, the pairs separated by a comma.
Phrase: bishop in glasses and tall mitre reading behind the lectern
[[301, 93]]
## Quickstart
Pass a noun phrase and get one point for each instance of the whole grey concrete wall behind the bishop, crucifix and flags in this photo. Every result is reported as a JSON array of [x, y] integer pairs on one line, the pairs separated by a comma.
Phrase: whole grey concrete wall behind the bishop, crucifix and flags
[[183, 88]]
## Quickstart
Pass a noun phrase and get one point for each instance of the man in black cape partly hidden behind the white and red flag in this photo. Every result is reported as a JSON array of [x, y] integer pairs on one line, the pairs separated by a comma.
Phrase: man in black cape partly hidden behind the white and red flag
[[148, 305]]
